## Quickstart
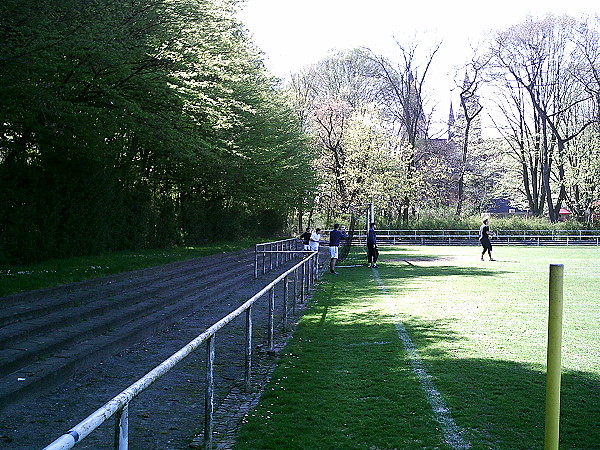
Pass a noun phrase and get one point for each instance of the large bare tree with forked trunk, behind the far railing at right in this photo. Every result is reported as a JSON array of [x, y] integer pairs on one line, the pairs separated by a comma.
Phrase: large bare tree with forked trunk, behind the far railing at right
[[538, 56]]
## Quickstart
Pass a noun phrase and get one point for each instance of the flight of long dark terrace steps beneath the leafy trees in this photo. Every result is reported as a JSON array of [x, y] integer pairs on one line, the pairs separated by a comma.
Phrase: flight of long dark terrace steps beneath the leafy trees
[[45, 350]]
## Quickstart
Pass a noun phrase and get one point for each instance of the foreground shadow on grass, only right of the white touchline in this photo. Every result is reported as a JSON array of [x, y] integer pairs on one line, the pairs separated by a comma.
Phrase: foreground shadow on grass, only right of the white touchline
[[502, 403]]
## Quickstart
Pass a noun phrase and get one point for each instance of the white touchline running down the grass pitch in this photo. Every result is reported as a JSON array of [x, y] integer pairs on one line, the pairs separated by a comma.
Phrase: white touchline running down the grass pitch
[[452, 432]]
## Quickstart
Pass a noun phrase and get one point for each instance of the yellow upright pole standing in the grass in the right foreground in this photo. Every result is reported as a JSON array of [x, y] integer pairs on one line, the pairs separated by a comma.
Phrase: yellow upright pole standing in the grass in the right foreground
[[551, 436]]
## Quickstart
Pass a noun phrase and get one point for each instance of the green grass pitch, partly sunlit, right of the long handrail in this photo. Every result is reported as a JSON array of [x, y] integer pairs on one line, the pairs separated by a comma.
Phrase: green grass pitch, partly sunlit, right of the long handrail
[[479, 329]]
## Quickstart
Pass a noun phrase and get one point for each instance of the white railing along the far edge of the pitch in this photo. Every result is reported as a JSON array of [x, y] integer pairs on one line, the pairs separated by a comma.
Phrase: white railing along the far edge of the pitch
[[471, 237]]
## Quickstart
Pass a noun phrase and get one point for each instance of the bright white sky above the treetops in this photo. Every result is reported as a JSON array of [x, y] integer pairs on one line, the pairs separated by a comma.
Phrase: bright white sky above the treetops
[[293, 34]]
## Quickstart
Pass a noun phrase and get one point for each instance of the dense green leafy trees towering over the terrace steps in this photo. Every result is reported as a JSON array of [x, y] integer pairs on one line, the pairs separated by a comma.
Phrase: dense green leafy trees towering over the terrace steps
[[132, 124]]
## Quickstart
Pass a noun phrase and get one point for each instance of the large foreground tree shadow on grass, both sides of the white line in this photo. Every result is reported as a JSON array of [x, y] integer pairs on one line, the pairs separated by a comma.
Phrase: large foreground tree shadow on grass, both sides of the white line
[[350, 384]]
